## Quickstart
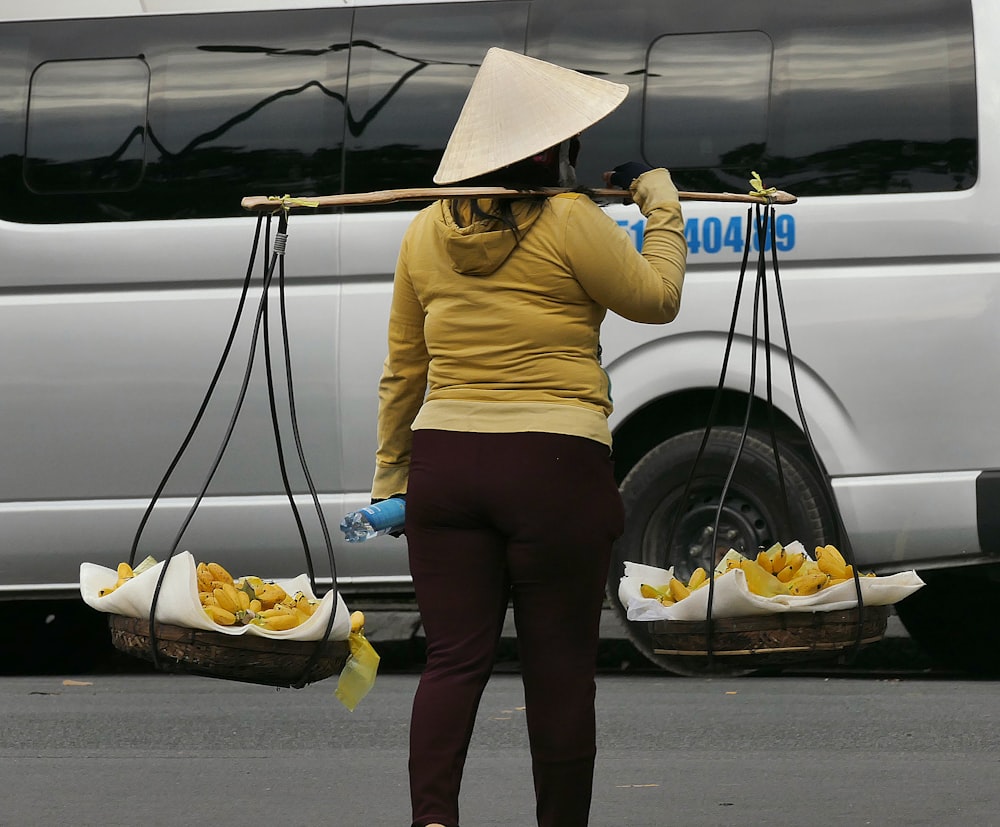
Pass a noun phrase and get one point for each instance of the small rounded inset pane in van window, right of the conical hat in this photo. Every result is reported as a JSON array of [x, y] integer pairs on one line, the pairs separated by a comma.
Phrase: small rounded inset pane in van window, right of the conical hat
[[700, 112]]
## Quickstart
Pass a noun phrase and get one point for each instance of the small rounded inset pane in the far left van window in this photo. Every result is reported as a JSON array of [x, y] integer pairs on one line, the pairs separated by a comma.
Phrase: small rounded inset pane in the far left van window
[[86, 126]]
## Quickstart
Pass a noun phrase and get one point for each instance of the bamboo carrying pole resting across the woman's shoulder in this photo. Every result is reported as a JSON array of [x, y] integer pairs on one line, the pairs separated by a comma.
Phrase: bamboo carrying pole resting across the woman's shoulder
[[358, 199]]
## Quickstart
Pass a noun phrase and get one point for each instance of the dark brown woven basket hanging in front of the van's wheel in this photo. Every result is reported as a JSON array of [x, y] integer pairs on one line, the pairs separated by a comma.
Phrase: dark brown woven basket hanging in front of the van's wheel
[[773, 639]]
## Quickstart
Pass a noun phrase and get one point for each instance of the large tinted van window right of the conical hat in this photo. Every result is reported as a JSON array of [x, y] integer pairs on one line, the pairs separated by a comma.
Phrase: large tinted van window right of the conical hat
[[856, 96]]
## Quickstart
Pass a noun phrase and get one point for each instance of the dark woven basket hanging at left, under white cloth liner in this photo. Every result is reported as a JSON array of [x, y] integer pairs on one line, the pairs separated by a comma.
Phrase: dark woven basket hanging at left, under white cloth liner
[[248, 658]]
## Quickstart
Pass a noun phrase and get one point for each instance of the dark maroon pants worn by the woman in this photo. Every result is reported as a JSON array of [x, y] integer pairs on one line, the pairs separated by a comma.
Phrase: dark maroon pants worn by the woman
[[492, 519]]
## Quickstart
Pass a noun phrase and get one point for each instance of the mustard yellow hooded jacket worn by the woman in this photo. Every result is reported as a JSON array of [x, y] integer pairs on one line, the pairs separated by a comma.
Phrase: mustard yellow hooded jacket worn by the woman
[[492, 333]]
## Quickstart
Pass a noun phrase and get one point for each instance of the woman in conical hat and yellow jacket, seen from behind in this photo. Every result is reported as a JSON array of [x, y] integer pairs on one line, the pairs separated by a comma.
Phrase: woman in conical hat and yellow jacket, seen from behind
[[493, 421]]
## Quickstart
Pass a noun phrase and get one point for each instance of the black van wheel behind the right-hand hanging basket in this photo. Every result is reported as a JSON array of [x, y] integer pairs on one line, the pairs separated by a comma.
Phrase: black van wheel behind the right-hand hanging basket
[[753, 517]]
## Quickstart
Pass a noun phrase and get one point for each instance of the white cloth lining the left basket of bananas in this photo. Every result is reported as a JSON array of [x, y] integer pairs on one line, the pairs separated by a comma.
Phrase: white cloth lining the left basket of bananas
[[178, 602]]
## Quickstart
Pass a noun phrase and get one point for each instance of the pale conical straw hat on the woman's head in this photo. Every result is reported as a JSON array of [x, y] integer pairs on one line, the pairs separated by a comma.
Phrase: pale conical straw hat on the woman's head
[[517, 107]]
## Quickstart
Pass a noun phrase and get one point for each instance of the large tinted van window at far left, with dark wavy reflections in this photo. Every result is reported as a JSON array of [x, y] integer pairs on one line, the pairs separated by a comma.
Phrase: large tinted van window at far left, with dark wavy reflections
[[238, 104]]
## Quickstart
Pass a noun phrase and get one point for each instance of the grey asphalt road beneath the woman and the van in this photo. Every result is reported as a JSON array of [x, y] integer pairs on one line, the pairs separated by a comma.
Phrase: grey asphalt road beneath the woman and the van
[[168, 750]]
